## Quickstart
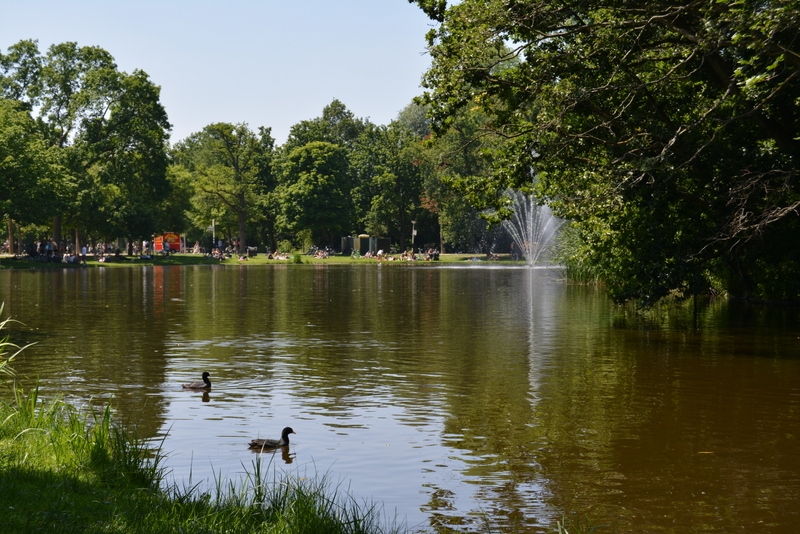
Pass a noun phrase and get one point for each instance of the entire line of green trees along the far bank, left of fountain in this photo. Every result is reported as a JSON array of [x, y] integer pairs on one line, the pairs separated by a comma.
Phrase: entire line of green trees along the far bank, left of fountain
[[85, 154]]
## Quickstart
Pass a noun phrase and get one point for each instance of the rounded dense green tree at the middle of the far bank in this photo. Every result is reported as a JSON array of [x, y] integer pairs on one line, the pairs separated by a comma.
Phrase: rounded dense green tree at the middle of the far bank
[[315, 191]]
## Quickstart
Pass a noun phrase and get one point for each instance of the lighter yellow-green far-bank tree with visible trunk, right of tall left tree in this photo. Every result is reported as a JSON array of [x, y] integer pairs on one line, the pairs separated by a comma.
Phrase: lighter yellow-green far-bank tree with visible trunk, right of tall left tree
[[230, 166]]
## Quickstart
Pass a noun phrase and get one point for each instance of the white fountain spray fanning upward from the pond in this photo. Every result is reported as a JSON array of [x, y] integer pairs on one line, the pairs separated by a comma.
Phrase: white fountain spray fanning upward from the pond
[[532, 226]]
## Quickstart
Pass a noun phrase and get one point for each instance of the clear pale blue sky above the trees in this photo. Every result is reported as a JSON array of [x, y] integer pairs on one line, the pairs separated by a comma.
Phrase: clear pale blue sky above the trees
[[266, 63]]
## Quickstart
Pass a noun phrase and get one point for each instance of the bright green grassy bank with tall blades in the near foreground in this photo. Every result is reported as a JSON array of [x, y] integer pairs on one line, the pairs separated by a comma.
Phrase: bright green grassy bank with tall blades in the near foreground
[[65, 471]]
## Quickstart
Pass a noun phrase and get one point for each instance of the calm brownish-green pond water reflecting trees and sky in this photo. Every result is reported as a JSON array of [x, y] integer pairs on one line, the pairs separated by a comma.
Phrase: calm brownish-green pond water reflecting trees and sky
[[452, 395]]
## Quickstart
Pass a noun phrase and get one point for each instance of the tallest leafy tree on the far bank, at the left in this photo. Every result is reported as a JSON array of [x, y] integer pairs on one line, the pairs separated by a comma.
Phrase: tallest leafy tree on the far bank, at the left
[[108, 126]]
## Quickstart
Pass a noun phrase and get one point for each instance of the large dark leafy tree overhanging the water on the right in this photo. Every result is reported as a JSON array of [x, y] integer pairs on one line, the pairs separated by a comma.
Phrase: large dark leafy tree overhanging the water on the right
[[667, 131]]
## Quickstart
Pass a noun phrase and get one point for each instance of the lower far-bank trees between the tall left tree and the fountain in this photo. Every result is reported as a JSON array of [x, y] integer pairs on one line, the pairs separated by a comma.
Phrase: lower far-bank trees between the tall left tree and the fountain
[[336, 175]]
